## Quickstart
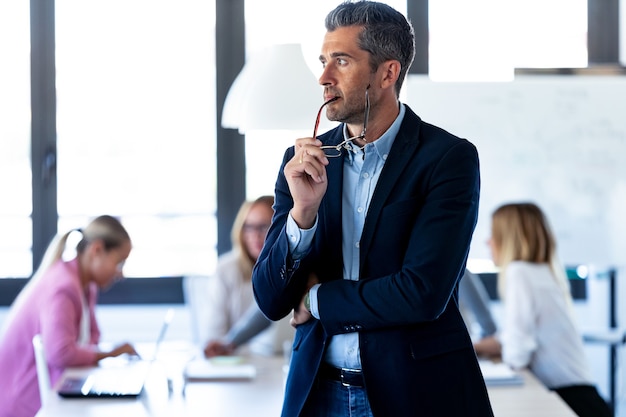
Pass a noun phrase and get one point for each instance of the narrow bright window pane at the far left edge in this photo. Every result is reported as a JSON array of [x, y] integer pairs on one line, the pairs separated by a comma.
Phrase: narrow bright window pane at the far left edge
[[15, 172]]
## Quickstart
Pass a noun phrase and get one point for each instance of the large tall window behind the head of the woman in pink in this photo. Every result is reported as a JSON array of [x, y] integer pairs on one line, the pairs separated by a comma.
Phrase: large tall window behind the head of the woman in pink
[[136, 126]]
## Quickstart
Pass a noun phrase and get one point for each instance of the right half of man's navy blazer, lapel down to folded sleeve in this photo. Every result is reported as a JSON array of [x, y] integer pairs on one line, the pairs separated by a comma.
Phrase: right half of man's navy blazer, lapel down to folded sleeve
[[415, 241]]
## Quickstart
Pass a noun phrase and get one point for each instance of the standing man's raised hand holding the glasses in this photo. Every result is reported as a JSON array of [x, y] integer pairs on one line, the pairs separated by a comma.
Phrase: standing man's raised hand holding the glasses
[[306, 177]]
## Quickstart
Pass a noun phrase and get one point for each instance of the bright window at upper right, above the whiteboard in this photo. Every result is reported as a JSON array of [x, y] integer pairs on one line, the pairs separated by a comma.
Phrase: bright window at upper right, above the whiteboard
[[485, 40]]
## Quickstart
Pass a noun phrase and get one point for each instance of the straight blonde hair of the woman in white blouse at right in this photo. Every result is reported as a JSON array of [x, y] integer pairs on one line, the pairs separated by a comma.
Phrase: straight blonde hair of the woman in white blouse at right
[[521, 232]]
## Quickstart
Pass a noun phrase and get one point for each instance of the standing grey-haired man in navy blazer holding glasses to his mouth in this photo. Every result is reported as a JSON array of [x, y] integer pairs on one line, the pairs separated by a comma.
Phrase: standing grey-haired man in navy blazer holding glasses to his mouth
[[369, 239]]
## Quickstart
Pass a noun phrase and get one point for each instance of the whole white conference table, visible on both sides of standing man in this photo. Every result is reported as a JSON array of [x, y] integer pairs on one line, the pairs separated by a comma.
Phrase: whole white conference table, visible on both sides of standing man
[[167, 393]]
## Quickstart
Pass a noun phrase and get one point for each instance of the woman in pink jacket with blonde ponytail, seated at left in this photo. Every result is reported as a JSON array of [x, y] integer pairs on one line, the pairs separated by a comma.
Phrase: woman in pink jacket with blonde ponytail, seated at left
[[59, 304]]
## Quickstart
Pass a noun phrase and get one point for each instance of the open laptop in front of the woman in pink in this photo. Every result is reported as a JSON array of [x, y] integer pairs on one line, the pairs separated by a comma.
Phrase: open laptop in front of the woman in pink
[[122, 381]]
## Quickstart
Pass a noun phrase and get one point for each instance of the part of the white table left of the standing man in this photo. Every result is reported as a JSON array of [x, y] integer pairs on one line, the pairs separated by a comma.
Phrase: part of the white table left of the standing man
[[166, 395]]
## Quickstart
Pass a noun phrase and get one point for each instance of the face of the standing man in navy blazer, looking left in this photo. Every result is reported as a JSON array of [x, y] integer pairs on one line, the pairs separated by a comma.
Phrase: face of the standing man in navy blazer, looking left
[[346, 74]]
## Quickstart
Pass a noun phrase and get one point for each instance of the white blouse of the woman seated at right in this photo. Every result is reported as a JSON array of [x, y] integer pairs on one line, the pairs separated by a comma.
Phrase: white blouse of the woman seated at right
[[539, 331]]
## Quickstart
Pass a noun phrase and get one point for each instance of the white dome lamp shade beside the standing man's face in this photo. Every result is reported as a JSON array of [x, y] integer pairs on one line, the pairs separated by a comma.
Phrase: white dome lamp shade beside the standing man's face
[[275, 90]]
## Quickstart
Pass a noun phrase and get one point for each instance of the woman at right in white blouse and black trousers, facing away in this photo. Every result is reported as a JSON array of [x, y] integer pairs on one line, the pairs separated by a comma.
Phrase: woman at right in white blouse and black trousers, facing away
[[539, 331]]
